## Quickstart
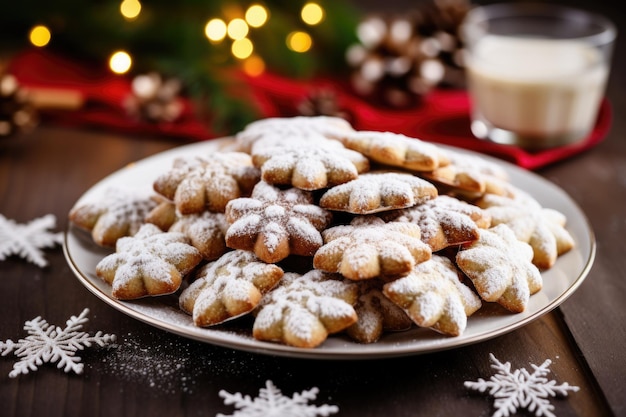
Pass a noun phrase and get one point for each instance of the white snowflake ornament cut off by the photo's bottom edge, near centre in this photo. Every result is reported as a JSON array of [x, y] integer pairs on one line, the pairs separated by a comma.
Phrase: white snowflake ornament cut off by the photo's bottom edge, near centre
[[271, 402]]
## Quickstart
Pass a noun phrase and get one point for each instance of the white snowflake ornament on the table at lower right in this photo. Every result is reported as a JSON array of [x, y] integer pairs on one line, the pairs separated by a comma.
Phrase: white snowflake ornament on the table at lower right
[[521, 389]]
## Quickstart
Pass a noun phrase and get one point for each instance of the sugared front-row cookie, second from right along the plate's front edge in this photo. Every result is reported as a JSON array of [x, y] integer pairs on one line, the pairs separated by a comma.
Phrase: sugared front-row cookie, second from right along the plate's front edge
[[433, 296]]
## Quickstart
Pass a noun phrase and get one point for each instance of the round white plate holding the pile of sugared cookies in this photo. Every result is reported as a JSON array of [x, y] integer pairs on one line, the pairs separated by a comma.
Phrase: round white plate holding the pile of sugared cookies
[[559, 282]]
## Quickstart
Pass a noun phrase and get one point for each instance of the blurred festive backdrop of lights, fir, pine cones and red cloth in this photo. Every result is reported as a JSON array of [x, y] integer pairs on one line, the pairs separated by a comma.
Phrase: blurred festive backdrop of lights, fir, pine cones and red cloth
[[201, 69]]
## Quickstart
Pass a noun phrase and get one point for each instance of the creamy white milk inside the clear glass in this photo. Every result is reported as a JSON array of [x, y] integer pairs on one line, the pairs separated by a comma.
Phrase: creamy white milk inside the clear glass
[[539, 89]]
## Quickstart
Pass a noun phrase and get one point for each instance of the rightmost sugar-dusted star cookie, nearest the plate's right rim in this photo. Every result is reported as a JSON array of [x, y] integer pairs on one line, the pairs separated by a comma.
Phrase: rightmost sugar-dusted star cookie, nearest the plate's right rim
[[542, 228]]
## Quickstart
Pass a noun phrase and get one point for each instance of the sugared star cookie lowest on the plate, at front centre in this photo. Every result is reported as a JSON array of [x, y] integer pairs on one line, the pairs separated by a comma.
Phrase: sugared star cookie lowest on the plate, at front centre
[[303, 310]]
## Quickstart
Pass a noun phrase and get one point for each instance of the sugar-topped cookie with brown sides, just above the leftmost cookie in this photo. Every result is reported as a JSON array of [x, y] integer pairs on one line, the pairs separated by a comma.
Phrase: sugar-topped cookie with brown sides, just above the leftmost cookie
[[196, 184]]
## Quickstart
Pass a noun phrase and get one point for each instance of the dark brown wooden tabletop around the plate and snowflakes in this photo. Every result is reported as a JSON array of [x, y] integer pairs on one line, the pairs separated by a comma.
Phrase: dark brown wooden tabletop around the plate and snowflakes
[[153, 373]]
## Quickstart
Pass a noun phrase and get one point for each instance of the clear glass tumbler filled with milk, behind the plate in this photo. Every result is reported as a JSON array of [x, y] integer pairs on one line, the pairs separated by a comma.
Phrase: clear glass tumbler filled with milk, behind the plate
[[536, 72]]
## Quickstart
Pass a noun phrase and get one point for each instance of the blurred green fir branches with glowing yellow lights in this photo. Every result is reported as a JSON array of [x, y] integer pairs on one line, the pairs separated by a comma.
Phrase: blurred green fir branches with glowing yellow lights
[[197, 43]]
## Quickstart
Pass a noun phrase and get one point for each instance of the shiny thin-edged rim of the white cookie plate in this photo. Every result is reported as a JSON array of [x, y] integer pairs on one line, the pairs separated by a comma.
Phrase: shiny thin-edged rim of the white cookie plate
[[239, 342]]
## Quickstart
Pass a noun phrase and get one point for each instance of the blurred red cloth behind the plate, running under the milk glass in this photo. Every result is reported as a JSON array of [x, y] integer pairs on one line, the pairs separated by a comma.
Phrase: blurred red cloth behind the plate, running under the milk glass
[[441, 117]]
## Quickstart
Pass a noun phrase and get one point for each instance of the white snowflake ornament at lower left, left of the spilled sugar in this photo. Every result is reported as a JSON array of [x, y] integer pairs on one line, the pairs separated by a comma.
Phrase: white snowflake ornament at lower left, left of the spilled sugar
[[49, 343]]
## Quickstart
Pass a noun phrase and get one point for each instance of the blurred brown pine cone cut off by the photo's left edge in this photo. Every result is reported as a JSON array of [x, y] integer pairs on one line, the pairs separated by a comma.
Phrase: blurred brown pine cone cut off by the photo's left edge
[[17, 114]]
